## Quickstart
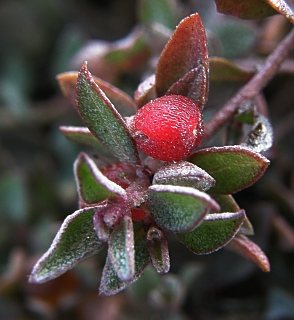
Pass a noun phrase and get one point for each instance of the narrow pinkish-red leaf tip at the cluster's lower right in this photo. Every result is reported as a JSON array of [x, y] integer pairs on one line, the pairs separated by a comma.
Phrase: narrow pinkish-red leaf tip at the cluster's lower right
[[251, 251]]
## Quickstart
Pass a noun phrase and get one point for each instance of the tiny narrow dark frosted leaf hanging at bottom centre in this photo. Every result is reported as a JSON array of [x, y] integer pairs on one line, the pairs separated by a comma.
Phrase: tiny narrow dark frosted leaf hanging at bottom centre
[[158, 249]]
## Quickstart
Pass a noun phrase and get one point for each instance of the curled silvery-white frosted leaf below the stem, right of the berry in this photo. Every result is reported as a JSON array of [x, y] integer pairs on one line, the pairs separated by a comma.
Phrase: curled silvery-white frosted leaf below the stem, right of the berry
[[261, 136]]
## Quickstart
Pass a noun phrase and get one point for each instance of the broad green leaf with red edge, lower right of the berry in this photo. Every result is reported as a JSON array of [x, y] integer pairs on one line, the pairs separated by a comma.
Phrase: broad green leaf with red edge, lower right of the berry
[[233, 167]]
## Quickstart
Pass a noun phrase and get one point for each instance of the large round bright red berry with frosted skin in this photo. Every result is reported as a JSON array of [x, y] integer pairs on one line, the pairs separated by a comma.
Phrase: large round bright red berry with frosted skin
[[168, 128]]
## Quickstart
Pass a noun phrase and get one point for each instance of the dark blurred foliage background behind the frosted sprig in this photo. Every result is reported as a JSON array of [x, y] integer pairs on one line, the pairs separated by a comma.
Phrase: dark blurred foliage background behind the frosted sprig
[[40, 38]]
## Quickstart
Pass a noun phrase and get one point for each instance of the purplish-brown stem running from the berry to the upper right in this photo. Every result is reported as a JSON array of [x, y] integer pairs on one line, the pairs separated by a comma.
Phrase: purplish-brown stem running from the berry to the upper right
[[252, 88]]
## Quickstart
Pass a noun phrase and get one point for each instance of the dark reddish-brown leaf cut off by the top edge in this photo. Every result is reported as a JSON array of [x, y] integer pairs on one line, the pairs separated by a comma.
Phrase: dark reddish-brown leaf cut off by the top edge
[[245, 9]]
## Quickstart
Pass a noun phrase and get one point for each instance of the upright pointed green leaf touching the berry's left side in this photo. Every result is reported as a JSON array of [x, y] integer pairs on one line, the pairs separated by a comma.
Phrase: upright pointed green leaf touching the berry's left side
[[102, 119]]
